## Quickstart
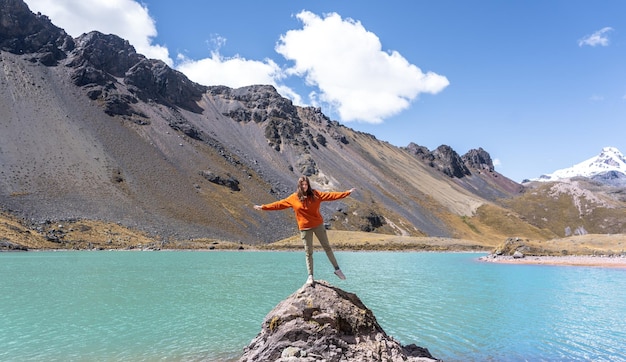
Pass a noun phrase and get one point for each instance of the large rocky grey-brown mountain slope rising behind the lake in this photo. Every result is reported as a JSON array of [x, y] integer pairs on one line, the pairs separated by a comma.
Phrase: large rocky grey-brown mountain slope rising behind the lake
[[91, 130]]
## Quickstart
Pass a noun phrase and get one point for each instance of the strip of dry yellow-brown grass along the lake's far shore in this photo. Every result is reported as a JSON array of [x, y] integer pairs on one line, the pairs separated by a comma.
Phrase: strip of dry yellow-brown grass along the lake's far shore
[[89, 234]]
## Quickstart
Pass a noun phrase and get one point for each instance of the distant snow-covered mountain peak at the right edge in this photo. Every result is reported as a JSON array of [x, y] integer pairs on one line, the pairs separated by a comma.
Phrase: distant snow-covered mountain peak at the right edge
[[608, 165]]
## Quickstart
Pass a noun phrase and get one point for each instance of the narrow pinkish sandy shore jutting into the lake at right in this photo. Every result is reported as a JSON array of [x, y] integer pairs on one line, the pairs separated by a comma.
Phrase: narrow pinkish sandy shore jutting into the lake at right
[[584, 260]]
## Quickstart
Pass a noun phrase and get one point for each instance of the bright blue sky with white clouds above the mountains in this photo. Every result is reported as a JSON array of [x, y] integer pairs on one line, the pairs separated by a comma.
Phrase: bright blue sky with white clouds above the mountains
[[539, 84]]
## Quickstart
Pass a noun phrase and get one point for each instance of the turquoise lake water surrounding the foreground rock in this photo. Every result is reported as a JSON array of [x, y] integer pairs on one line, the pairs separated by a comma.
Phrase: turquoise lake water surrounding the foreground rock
[[192, 306]]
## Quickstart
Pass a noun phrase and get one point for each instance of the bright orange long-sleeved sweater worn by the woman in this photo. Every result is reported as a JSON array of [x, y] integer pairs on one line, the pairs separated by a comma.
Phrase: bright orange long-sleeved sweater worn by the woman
[[308, 213]]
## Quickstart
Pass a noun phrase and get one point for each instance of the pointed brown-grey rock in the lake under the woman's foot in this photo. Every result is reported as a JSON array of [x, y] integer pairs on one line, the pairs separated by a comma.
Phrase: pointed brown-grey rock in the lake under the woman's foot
[[320, 322]]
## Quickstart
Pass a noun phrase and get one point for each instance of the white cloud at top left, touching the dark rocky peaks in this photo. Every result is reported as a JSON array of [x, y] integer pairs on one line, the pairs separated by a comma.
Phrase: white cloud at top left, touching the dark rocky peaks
[[125, 18]]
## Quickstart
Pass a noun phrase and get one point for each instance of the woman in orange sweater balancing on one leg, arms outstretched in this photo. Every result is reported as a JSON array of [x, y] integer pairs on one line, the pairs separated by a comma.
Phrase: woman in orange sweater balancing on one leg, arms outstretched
[[305, 203]]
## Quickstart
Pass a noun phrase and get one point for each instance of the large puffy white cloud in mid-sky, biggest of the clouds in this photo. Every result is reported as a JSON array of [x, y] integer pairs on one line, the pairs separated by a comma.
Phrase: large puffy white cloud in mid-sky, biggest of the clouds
[[352, 72]]
